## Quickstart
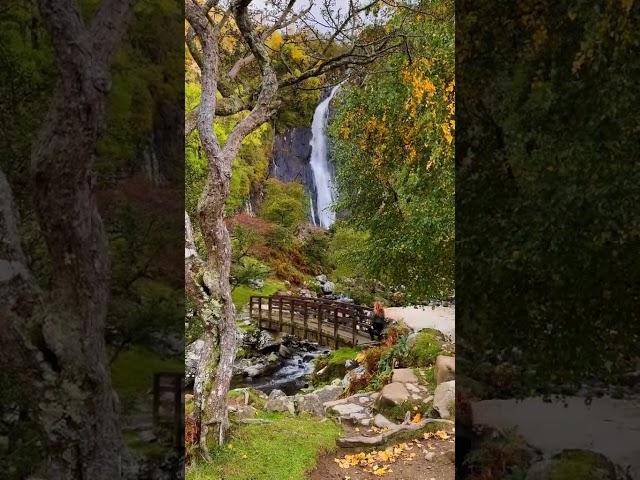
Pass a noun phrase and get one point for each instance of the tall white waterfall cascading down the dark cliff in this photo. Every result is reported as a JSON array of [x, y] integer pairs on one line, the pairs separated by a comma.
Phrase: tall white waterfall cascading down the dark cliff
[[322, 174]]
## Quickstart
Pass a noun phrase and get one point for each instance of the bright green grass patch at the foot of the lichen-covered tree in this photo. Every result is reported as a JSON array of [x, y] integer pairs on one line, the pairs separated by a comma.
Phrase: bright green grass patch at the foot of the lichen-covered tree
[[285, 449]]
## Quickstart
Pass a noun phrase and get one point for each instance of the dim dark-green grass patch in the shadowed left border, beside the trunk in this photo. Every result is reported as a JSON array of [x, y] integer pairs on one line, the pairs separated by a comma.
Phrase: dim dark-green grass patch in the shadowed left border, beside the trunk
[[132, 372]]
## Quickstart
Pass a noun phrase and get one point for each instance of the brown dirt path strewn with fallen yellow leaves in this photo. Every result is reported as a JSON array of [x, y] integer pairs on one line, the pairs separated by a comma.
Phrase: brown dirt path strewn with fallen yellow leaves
[[429, 458]]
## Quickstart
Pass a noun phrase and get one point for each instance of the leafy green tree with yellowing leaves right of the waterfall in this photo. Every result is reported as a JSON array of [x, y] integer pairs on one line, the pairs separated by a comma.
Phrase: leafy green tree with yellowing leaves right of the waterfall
[[392, 140]]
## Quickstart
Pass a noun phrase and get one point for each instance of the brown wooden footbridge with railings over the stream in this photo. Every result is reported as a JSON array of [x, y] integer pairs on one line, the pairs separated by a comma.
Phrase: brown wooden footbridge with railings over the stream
[[324, 321]]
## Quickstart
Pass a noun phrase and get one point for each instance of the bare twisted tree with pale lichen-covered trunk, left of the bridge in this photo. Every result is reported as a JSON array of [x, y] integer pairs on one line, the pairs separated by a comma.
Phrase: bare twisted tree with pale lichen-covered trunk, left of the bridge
[[212, 25]]
